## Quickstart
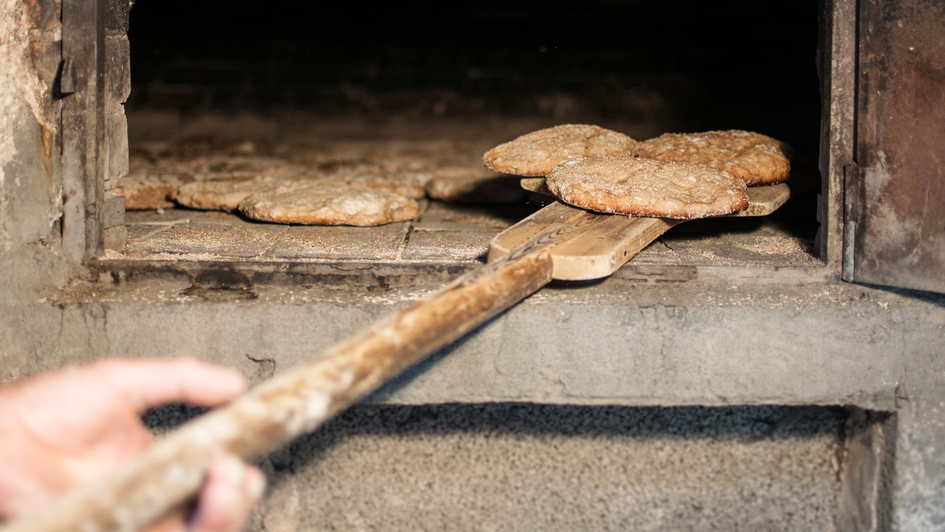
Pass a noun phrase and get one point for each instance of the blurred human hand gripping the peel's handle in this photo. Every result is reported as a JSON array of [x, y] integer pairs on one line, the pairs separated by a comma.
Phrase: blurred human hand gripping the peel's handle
[[65, 429]]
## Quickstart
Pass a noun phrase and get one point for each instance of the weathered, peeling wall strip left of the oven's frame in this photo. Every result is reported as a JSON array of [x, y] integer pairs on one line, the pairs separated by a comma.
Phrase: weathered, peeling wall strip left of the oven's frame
[[30, 180]]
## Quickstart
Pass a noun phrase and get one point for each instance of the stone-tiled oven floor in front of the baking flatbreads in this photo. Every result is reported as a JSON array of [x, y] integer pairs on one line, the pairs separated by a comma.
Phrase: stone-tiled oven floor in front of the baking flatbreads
[[442, 234]]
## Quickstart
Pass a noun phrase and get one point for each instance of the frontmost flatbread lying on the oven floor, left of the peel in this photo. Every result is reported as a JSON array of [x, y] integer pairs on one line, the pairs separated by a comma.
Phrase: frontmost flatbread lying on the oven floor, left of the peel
[[329, 205]]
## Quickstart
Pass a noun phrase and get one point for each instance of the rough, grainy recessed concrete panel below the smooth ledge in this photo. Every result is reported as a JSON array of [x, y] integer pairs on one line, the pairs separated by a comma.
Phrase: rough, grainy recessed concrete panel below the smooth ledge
[[542, 467]]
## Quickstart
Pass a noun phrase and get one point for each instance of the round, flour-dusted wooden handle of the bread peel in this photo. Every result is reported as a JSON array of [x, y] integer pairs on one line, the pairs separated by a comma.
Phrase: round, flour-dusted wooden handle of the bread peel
[[170, 473]]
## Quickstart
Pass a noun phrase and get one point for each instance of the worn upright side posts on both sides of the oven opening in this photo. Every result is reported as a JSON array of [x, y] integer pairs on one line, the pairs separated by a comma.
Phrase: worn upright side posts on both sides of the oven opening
[[95, 150]]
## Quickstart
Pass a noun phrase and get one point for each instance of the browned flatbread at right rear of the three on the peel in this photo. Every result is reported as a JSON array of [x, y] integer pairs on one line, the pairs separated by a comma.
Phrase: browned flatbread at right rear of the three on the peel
[[755, 158]]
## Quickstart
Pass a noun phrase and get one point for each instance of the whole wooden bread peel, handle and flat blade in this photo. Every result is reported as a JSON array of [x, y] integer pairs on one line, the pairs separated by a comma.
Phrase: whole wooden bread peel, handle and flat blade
[[557, 242]]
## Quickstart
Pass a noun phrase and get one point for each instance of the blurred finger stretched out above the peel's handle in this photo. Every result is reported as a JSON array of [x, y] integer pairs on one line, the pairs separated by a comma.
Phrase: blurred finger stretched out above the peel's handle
[[153, 382]]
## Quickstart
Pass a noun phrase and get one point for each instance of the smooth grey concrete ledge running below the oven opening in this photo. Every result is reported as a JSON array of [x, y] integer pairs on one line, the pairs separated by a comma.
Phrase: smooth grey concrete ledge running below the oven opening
[[623, 341]]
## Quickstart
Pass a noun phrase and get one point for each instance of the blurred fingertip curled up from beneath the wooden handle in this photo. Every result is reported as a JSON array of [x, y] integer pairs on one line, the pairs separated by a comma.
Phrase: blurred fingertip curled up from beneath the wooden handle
[[231, 491]]
